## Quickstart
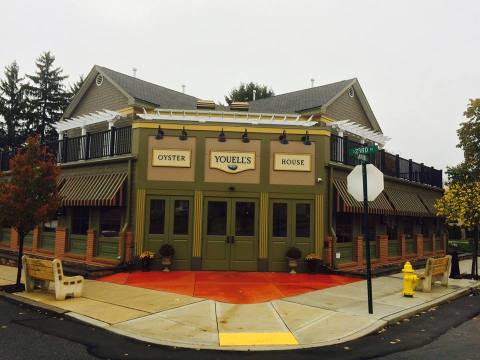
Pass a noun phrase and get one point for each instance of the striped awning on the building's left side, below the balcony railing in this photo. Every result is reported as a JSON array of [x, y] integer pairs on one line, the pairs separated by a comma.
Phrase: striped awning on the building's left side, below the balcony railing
[[93, 190]]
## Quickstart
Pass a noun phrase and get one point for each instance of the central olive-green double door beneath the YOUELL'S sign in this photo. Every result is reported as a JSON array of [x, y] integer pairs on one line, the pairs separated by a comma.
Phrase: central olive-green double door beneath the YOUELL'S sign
[[230, 234]]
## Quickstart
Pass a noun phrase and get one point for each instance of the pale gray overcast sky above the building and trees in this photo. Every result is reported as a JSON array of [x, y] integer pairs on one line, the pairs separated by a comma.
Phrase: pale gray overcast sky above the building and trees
[[417, 61]]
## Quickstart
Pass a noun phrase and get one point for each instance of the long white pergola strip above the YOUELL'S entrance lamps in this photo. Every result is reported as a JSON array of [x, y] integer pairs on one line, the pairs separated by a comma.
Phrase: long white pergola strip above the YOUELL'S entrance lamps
[[229, 117]]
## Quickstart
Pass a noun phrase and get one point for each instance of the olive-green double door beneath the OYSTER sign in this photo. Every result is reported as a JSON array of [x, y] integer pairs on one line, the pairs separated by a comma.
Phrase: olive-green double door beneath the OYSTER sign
[[169, 221]]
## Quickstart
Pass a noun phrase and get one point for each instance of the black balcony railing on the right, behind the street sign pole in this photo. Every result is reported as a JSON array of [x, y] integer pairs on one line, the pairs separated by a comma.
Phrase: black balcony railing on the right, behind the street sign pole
[[391, 165]]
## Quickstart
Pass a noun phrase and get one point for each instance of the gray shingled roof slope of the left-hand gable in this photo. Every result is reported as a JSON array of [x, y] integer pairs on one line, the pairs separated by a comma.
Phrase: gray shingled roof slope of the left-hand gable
[[154, 94]]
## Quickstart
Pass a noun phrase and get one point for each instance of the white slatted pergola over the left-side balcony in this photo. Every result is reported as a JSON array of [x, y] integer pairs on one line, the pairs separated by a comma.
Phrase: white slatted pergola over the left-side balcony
[[82, 122]]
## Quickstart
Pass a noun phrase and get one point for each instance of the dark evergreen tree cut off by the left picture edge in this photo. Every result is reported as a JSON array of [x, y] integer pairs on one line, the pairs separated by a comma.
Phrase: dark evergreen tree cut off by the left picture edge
[[13, 105]]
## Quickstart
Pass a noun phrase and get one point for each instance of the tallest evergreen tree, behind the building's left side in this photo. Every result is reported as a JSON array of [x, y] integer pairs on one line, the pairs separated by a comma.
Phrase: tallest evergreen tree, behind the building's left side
[[47, 95]]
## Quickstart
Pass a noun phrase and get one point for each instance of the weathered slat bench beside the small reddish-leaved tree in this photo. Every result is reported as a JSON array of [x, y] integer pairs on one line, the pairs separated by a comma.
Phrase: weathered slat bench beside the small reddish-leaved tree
[[40, 272]]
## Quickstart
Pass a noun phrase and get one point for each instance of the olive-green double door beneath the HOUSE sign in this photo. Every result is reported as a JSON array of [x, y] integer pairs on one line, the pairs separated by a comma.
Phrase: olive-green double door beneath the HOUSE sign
[[291, 224]]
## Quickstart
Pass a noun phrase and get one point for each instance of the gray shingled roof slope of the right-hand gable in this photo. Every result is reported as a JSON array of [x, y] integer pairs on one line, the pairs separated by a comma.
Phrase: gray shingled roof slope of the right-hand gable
[[300, 100]]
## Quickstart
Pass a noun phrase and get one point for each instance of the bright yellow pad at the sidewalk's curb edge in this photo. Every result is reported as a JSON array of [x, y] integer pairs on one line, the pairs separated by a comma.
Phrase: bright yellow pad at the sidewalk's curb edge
[[239, 339]]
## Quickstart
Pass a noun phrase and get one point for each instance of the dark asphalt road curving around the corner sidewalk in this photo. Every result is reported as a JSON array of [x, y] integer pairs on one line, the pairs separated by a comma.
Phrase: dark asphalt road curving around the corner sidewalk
[[447, 332]]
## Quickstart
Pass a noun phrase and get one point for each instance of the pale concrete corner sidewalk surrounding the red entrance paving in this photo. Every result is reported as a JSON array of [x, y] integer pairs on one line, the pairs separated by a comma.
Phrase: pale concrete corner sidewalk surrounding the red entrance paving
[[317, 318]]
